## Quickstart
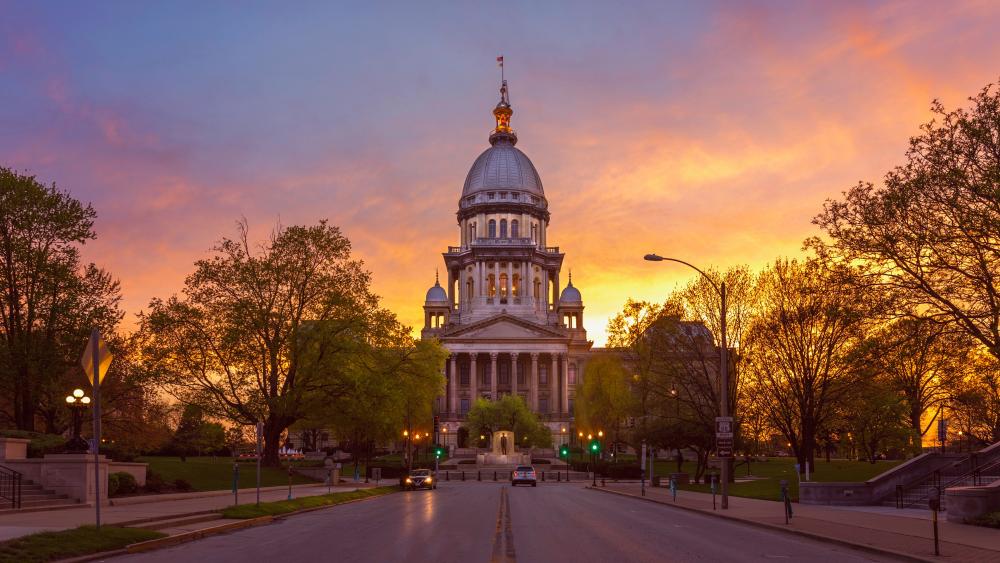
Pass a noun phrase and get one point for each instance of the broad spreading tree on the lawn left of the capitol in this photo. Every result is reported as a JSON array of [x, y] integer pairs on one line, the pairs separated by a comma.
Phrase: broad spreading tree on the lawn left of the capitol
[[262, 329]]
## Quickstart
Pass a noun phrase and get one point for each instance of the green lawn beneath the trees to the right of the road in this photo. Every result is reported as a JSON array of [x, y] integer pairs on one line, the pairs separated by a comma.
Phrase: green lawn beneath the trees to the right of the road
[[775, 469]]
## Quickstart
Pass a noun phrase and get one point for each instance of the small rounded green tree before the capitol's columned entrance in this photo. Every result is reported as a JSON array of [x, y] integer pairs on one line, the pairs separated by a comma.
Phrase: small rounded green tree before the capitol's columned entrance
[[509, 413]]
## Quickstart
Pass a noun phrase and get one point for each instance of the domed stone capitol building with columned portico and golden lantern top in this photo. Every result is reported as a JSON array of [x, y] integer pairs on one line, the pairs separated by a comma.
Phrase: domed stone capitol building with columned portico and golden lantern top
[[502, 309]]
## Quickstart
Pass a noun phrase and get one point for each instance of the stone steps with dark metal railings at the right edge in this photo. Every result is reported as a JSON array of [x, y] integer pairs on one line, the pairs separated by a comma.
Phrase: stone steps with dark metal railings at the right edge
[[978, 469]]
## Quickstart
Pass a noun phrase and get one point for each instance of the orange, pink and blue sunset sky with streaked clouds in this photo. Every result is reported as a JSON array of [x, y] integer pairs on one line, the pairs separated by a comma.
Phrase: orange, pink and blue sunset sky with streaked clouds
[[707, 131]]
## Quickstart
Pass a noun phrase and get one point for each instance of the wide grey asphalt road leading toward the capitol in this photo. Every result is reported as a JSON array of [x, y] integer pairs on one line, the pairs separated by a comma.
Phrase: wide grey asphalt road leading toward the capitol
[[494, 522]]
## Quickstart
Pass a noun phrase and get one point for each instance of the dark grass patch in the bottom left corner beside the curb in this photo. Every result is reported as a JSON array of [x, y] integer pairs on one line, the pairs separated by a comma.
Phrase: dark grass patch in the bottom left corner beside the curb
[[49, 546]]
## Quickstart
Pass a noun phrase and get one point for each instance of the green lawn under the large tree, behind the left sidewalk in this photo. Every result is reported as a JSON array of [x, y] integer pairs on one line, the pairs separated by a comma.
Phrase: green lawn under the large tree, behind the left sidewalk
[[214, 474]]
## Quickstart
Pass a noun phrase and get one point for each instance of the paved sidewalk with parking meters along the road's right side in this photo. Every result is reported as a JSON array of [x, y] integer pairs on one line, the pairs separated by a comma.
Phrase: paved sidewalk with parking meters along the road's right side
[[908, 534]]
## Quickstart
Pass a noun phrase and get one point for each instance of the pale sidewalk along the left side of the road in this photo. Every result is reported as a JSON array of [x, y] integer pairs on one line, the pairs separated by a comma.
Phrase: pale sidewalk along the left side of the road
[[150, 507]]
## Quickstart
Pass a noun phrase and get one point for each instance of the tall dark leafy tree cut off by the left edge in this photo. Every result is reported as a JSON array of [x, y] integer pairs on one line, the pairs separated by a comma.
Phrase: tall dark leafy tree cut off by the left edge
[[49, 300]]
